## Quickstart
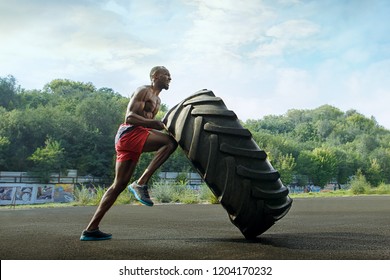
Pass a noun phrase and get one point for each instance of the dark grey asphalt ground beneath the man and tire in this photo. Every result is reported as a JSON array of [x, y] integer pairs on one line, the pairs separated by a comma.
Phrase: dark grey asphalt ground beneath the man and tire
[[341, 228]]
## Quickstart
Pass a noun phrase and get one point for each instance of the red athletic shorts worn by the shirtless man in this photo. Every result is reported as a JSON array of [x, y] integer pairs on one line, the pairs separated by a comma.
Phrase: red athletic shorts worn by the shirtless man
[[130, 145]]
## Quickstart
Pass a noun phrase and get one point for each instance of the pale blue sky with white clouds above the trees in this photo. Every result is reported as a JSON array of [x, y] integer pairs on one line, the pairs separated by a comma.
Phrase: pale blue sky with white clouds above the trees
[[262, 57]]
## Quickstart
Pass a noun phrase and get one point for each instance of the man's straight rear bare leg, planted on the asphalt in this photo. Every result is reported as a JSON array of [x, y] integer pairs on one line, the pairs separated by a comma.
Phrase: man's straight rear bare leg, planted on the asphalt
[[123, 172]]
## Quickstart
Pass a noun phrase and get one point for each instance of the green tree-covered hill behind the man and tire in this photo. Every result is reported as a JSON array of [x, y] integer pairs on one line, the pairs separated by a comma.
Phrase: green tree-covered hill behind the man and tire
[[71, 125]]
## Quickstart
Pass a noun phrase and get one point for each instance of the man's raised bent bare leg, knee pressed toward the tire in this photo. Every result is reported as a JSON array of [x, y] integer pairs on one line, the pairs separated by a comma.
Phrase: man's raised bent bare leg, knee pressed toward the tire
[[164, 145]]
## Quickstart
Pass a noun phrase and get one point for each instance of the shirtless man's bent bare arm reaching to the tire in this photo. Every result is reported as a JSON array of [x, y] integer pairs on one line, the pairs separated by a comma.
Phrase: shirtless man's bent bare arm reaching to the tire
[[135, 114]]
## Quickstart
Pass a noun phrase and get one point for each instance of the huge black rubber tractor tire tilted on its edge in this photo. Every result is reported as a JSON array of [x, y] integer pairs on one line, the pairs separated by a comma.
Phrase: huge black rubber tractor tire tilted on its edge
[[230, 162]]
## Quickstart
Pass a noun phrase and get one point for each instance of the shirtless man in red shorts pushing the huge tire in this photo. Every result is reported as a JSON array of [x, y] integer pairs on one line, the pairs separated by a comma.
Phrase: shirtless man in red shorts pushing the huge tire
[[138, 134]]
